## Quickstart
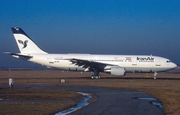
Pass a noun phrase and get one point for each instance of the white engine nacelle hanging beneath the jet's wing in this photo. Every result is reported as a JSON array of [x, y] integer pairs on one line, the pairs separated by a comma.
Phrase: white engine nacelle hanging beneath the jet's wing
[[118, 71]]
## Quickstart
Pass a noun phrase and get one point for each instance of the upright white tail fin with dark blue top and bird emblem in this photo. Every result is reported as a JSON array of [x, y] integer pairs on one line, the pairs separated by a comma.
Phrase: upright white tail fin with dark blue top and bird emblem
[[25, 43]]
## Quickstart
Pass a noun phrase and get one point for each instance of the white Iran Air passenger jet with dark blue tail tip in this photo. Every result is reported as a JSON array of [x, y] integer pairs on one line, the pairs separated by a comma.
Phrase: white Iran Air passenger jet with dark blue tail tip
[[117, 65]]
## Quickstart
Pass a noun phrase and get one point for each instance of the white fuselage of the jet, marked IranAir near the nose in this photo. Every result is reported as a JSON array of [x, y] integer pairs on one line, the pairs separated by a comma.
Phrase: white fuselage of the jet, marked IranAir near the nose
[[131, 63]]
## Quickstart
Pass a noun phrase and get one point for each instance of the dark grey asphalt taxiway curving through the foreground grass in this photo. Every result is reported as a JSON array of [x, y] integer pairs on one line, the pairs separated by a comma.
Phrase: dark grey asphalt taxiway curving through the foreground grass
[[113, 101]]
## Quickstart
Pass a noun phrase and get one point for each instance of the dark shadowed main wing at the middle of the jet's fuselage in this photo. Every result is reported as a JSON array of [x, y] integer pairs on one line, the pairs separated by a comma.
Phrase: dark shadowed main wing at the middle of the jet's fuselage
[[89, 64]]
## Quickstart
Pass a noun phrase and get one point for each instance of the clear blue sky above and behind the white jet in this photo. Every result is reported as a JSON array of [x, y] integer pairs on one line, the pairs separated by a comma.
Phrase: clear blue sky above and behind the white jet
[[141, 27]]
